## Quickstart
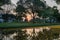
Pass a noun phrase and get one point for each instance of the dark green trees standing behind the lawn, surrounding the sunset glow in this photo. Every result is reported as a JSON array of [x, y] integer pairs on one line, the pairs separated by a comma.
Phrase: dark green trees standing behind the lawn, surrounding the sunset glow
[[38, 6]]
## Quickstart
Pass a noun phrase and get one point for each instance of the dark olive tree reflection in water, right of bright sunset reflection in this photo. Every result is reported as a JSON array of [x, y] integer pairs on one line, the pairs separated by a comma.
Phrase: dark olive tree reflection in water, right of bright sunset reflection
[[46, 35]]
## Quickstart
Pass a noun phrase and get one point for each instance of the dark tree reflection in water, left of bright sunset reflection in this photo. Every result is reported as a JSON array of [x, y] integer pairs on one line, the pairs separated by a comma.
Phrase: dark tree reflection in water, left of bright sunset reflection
[[21, 35]]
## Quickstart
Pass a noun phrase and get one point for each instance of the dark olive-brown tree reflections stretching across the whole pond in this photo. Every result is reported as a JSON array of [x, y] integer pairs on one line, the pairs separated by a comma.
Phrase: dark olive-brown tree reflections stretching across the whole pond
[[22, 35]]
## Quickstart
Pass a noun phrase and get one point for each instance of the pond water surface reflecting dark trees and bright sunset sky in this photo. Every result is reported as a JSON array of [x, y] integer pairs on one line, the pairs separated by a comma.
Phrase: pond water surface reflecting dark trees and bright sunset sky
[[41, 33]]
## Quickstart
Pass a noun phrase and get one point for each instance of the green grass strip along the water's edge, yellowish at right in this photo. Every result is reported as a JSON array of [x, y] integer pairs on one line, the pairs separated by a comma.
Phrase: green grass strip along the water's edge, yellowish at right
[[29, 25]]
